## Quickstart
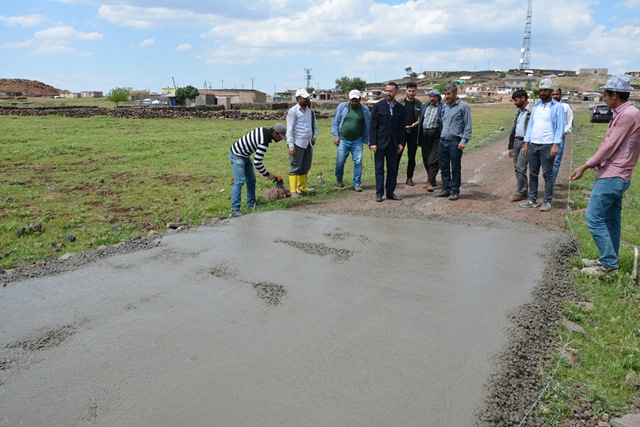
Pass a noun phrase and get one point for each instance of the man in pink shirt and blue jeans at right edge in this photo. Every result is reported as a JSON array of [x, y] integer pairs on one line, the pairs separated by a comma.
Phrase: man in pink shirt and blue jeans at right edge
[[615, 160]]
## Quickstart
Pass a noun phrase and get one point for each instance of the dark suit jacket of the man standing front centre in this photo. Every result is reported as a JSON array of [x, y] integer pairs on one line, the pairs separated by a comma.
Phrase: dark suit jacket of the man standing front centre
[[387, 129]]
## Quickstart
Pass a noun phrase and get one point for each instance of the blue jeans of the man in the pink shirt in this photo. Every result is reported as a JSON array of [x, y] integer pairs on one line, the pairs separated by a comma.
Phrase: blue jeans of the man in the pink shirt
[[604, 217]]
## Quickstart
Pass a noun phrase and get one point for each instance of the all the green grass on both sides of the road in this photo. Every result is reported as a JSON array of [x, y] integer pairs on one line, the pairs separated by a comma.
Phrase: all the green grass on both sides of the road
[[104, 180]]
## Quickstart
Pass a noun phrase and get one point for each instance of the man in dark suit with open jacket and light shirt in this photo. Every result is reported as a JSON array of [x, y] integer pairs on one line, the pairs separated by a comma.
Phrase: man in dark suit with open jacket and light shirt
[[386, 136]]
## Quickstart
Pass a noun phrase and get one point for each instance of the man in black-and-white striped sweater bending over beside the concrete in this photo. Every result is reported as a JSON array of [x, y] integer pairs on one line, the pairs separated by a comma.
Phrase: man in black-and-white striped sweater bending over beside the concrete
[[257, 141]]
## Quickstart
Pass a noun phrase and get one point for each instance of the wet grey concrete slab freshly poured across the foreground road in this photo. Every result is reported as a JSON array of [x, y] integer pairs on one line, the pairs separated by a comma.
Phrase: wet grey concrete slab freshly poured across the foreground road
[[278, 318]]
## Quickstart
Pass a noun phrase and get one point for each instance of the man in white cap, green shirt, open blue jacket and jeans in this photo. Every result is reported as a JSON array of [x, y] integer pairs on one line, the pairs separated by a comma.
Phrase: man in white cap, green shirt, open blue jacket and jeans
[[350, 129]]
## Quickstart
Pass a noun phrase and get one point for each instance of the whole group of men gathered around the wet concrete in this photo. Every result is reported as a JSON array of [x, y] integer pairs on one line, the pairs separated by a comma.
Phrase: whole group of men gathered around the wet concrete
[[442, 130]]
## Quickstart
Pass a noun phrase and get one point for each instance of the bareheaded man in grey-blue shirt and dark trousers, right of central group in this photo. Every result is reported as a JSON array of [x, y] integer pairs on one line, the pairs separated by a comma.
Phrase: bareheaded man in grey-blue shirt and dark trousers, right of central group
[[456, 133]]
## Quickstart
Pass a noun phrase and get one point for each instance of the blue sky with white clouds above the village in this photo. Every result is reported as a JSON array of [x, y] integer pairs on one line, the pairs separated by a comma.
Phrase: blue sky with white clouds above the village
[[267, 44]]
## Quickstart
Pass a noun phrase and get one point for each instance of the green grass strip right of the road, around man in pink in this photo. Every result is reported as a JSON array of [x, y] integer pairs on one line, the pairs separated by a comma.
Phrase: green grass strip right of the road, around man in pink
[[608, 355]]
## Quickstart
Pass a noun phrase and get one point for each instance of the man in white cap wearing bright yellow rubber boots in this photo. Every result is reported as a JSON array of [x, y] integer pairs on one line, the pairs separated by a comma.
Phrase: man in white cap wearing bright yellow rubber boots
[[302, 131]]
